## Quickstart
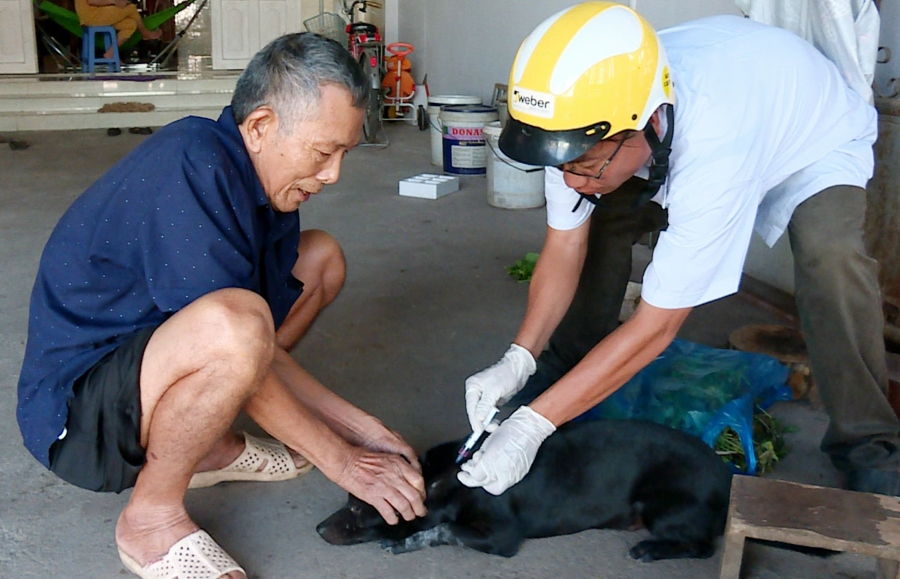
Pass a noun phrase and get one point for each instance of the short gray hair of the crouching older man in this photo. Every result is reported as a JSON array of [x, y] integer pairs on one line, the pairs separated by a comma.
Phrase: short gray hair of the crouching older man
[[288, 74]]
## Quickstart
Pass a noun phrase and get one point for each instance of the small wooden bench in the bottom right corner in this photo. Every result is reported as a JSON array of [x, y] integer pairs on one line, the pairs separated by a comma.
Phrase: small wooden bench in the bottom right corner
[[811, 516]]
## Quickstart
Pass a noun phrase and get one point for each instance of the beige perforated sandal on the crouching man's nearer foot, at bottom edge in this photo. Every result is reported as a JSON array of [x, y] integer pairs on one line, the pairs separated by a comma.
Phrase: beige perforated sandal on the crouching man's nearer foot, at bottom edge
[[197, 556]]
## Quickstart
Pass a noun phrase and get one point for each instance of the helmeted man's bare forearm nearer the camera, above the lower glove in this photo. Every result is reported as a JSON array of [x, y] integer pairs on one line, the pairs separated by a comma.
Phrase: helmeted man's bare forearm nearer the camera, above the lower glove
[[611, 363]]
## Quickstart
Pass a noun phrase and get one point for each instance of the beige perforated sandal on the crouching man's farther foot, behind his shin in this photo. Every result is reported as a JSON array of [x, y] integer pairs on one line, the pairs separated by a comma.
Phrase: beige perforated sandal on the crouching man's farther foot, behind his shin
[[261, 460]]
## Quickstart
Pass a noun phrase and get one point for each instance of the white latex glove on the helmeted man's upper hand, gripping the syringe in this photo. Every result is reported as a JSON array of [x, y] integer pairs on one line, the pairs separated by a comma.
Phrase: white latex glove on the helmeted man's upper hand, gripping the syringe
[[497, 384]]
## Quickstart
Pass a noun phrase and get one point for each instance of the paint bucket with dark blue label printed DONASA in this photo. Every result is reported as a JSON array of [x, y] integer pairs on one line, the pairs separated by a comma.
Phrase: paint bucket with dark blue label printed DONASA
[[464, 148]]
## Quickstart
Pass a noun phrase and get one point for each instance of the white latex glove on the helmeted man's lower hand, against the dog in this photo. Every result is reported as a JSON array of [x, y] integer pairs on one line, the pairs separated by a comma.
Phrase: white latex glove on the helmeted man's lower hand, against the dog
[[506, 456]]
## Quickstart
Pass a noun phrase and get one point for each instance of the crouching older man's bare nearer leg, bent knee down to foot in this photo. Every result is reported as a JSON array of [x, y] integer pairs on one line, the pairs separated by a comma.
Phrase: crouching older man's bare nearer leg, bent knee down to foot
[[198, 370]]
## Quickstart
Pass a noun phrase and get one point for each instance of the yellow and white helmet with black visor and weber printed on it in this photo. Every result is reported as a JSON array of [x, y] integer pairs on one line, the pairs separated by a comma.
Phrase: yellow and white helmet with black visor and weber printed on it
[[588, 72]]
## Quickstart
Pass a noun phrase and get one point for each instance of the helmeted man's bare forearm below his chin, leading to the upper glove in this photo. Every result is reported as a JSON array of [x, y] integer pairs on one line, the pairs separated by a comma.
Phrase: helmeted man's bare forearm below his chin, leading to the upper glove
[[552, 287]]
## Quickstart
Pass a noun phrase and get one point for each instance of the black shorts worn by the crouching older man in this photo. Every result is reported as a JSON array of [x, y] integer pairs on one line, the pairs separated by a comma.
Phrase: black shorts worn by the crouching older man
[[101, 450]]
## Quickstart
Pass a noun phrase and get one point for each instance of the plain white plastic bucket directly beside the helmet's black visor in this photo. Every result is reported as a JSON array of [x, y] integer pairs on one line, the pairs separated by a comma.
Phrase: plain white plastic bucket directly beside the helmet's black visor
[[511, 185]]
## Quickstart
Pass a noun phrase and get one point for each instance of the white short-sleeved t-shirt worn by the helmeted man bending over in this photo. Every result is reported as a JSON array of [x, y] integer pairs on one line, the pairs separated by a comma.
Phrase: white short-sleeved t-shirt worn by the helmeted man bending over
[[763, 121]]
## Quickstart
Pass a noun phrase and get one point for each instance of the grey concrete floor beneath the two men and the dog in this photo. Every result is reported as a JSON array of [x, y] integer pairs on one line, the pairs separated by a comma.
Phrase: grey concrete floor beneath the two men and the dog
[[427, 302]]
